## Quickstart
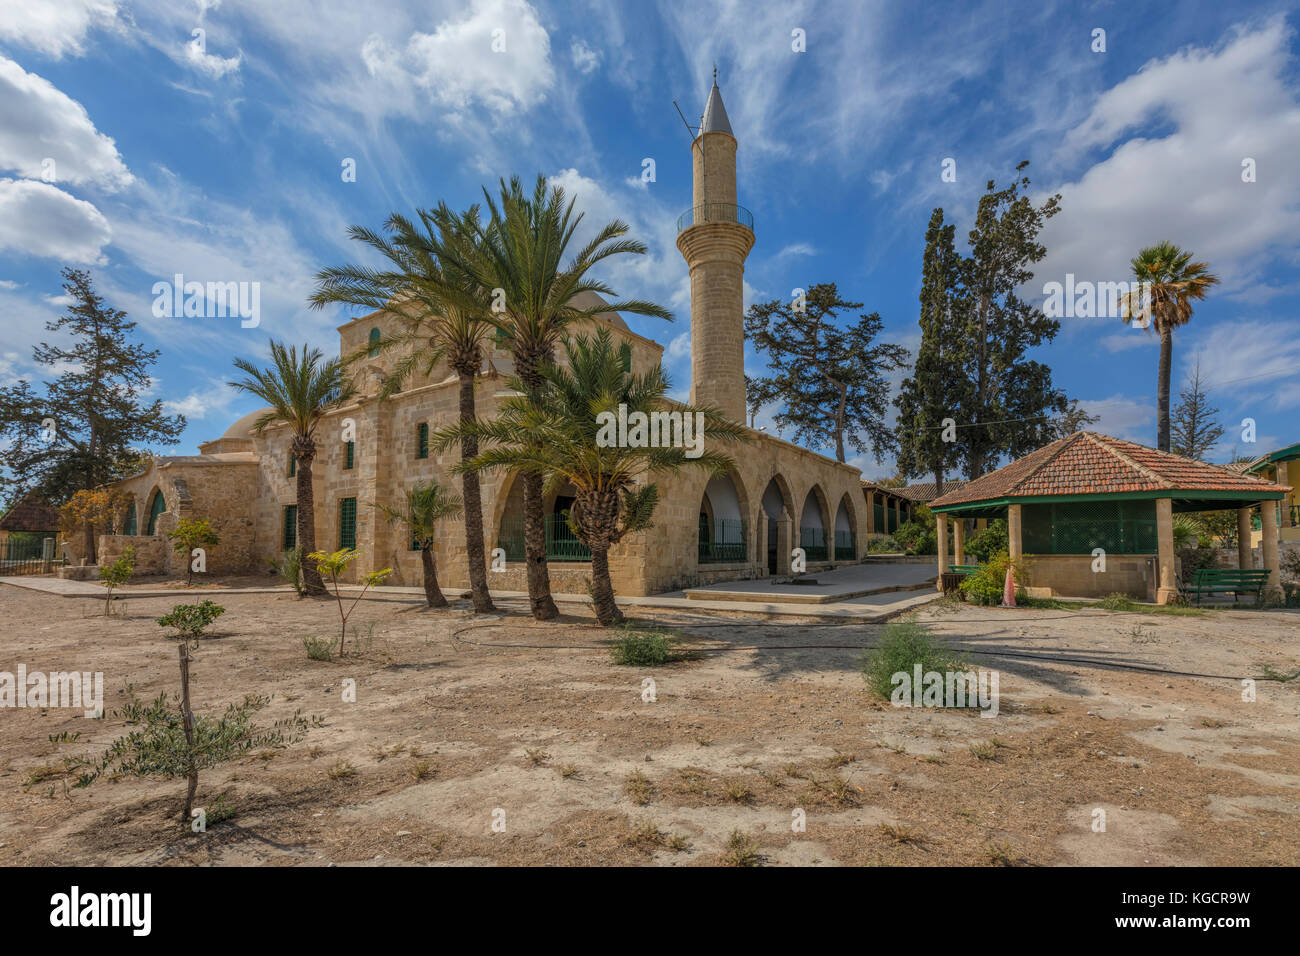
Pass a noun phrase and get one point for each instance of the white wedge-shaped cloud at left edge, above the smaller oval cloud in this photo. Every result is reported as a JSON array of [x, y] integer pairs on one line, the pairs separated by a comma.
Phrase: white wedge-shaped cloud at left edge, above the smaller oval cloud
[[41, 126]]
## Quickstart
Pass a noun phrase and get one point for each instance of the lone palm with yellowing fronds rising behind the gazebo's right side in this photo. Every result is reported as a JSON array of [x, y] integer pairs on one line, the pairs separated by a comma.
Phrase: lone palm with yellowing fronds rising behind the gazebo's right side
[[1175, 283]]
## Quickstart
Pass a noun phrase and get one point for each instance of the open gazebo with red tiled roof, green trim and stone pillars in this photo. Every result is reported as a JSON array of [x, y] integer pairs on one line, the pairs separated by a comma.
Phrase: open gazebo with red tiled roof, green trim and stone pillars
[[1089, 496]]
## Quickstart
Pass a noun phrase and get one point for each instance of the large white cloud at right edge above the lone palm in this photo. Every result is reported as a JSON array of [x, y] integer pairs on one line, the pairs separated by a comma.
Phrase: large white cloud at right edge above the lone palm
[[1220, 107]]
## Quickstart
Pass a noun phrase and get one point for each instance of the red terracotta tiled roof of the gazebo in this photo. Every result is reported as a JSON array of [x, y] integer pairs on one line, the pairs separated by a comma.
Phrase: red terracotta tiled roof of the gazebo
[[1087, 465]]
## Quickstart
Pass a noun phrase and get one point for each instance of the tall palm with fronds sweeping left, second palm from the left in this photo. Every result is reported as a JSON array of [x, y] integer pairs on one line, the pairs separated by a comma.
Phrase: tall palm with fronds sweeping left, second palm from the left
[[441, 317]]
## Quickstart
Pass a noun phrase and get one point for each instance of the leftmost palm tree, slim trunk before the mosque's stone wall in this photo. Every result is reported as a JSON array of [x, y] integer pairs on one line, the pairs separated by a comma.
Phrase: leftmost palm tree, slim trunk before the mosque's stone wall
[[301, 391]]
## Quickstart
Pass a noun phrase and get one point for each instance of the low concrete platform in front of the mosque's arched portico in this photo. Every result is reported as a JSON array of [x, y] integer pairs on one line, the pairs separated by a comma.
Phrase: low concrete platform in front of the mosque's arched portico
[[833, 587]]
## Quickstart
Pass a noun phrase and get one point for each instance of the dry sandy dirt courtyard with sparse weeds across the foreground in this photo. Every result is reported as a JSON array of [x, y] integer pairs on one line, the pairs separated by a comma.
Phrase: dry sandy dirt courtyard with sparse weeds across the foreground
[[499, 741]]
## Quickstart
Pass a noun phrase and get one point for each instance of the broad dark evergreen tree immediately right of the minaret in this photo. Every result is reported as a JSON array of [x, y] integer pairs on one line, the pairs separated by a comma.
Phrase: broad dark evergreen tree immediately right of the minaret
[[831, 379]]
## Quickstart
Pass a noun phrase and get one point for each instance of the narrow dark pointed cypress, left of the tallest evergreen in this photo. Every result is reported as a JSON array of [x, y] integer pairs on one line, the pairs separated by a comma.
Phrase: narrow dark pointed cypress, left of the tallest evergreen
[[938, 388]]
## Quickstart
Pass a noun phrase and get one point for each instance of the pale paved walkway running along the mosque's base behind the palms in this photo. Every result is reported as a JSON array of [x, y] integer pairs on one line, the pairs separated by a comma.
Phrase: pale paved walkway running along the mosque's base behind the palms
[[869, 609]]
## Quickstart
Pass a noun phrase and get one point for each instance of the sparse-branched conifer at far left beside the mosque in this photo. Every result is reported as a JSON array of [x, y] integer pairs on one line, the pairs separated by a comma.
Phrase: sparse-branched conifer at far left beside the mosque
[[92, 421]]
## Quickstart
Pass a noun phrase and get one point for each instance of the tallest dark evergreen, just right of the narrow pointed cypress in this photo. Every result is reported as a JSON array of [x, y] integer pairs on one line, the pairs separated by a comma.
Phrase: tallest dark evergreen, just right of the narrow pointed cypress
[[1013, 405]]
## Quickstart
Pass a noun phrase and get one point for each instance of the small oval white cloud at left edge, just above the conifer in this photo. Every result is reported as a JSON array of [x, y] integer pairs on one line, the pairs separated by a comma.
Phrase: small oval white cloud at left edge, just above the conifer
[[42, 220]]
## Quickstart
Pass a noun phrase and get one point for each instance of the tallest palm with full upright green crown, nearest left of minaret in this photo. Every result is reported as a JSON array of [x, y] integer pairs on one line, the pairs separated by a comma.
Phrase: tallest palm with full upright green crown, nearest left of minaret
[[518, 259]]
